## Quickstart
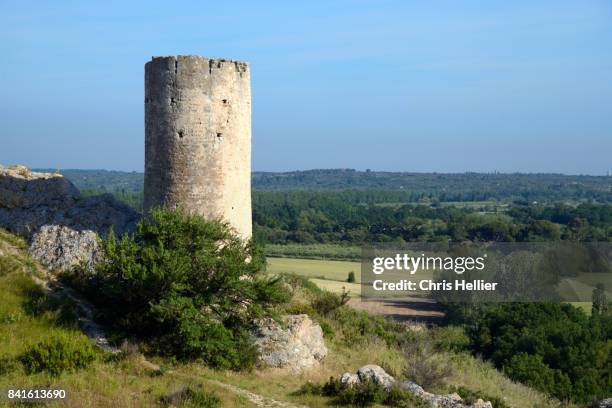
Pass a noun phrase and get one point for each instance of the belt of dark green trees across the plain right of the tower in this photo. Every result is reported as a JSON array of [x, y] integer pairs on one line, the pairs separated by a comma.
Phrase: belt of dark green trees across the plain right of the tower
[[353, 217]]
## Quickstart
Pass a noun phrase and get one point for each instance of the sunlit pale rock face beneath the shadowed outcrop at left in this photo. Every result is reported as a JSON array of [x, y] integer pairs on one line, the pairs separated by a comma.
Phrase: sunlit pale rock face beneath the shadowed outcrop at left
[[63, 248]]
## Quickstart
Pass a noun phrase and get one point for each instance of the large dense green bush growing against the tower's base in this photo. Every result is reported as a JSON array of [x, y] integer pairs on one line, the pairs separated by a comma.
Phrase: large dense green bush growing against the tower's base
[[189, 286]]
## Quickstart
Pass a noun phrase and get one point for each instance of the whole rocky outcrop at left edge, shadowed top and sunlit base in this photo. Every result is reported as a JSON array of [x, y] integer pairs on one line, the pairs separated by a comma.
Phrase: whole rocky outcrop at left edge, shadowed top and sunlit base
[[60, 224]]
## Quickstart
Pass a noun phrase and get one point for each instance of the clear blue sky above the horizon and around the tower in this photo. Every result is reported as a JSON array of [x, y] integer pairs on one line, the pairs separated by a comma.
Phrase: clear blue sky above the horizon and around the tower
[[447, 86]]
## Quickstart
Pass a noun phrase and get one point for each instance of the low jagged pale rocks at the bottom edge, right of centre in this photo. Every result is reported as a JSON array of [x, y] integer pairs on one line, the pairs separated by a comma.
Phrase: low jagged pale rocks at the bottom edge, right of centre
[[379, 376]]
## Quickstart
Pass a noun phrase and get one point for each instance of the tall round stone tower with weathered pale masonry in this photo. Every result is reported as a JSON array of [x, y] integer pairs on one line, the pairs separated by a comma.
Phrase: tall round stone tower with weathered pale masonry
[[198, 138]]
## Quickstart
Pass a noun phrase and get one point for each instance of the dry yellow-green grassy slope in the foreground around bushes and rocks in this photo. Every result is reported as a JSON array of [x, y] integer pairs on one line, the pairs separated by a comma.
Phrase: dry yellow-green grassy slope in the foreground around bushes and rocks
[[29, 315]]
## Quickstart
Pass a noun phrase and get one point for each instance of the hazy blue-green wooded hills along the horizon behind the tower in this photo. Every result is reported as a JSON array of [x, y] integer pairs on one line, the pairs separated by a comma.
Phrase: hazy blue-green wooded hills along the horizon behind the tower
[[441, 186]]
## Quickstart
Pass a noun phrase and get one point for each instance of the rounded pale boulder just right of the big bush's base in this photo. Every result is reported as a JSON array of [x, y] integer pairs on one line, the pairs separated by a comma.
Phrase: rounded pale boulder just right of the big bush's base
[[299, 346]]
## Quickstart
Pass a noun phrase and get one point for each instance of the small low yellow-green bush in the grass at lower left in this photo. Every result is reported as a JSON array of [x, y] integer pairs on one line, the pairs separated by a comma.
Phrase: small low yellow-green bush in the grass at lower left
[[58, 354]]
